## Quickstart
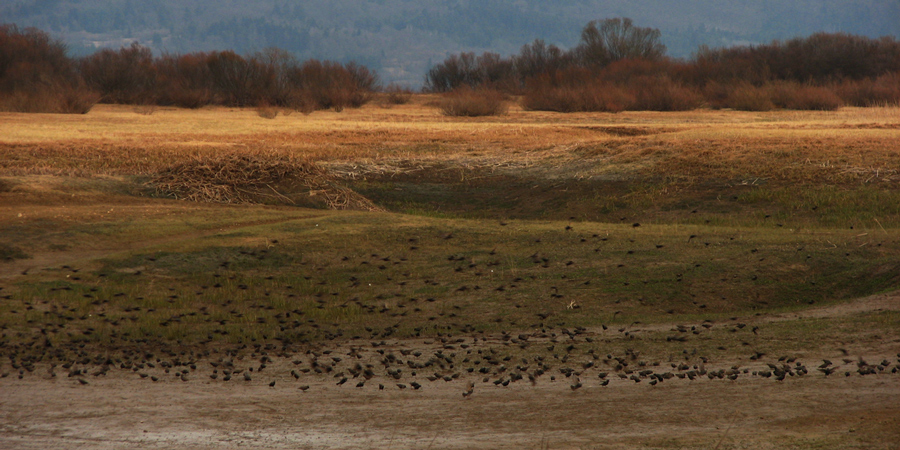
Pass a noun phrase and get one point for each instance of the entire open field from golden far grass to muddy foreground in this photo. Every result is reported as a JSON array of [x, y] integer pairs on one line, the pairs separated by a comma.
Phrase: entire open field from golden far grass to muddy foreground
[[393, 278]]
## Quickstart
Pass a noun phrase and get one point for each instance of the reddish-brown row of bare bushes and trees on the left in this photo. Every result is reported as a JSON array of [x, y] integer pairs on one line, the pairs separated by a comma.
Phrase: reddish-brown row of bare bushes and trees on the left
[[36, 75]]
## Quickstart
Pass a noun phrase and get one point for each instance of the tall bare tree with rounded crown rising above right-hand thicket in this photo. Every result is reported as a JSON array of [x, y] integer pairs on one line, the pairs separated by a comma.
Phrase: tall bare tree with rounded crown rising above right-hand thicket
[[609, 40]]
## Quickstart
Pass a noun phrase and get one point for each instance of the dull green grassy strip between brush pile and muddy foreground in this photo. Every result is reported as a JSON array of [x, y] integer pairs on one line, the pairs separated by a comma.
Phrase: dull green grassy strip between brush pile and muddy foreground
[[346, 274]]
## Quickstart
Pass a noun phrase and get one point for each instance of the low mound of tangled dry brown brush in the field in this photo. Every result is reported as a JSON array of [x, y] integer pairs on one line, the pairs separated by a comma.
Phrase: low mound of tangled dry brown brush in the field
[[241, 178]]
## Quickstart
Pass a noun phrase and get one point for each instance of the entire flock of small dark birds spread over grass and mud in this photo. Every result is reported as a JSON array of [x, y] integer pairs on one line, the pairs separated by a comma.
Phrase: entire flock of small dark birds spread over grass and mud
[[433, 346]]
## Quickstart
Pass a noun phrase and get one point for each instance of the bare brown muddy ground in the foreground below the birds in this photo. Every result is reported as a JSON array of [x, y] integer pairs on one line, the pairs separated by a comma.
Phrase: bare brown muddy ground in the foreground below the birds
[[122, 410]]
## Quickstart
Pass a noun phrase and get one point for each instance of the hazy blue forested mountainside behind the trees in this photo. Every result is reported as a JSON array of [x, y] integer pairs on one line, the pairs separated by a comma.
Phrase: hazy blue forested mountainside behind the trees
[[403, 38]]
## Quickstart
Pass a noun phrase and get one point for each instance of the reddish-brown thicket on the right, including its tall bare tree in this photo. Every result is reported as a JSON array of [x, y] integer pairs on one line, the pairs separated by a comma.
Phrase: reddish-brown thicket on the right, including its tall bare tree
[[618, 66]]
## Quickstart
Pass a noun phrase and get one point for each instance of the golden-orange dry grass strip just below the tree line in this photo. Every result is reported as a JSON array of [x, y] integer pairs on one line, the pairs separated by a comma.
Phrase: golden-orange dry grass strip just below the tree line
[[851, 146]]
